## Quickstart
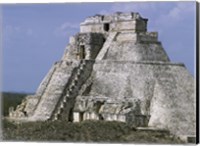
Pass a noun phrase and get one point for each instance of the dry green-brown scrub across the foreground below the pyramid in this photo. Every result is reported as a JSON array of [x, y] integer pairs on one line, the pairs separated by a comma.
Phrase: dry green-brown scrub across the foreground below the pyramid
[[86, 131]]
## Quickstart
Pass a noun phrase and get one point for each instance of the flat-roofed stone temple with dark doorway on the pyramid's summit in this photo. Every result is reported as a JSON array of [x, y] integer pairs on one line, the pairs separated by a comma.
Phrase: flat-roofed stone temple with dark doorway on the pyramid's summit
[[116, 22]]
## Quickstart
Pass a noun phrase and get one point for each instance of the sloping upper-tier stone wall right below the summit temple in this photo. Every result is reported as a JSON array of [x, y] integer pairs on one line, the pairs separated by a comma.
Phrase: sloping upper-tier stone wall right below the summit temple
[[129, 46]]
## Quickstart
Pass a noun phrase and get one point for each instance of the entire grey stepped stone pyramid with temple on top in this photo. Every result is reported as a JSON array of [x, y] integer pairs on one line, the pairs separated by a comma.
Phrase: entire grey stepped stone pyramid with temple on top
[[114, 70]]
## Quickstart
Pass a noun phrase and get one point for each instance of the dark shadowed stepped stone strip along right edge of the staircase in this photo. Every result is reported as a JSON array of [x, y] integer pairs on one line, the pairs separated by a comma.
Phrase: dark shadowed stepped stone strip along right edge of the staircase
[[67, 100]]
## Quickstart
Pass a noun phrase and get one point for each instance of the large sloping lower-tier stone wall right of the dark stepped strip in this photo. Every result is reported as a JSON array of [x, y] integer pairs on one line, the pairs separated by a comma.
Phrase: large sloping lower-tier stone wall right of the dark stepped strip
[[159, 86]]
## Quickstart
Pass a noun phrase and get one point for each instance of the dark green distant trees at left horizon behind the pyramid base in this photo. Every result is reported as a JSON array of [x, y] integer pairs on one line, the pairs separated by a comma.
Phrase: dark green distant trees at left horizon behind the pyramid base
[[10, 99]]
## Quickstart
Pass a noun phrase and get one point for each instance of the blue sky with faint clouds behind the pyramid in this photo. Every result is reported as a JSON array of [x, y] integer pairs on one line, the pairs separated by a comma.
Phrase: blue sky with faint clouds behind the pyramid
[[35, 35]]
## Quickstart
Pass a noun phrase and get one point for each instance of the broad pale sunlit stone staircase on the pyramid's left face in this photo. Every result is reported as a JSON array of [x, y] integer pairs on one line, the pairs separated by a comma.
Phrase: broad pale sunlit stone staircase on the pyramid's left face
[[54, 90]]
